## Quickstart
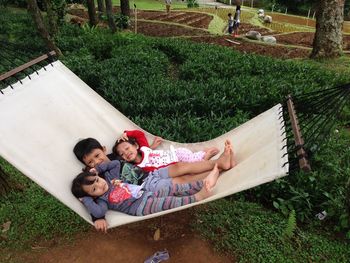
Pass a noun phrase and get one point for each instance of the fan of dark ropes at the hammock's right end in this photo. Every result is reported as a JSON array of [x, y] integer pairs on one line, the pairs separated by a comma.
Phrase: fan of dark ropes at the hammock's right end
[[317, 113]]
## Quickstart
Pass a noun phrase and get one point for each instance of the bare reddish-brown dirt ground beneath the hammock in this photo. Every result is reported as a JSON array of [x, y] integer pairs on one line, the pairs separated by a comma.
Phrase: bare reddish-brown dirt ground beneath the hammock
[[131, 243]]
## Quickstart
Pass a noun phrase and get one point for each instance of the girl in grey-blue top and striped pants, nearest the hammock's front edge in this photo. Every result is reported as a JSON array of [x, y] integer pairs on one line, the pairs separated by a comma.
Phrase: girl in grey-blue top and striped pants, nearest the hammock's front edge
[[108, 192]]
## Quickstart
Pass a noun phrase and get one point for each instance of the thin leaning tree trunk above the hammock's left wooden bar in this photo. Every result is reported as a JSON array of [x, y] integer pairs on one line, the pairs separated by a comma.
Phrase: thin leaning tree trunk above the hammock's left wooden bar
[[33, 9]]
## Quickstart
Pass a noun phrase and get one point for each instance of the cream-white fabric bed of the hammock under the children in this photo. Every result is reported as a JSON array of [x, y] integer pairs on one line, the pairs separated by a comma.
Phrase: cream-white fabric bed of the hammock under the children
[[43, 117]]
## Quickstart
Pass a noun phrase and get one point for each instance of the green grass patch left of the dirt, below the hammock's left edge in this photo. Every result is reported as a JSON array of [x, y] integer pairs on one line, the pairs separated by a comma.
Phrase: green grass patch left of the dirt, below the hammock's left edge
[[33, 214]]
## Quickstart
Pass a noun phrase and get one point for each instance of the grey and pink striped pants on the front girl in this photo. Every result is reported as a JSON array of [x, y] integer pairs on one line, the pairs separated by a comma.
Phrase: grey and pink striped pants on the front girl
[[168, 198]]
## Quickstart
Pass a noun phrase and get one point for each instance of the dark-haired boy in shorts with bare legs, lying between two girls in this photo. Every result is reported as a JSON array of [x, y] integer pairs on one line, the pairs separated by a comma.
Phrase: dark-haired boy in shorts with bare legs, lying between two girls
[[91, 153]]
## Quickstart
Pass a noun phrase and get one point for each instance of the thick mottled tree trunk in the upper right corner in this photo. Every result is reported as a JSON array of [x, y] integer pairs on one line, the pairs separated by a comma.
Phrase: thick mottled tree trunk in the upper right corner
[[328, 40]]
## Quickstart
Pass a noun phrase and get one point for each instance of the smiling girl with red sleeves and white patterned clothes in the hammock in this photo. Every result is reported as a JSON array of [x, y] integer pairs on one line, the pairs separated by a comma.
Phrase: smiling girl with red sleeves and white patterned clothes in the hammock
[[133, 147]]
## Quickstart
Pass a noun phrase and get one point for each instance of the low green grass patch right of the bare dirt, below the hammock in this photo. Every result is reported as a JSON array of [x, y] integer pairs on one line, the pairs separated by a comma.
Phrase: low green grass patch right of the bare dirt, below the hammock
[[257, 235]]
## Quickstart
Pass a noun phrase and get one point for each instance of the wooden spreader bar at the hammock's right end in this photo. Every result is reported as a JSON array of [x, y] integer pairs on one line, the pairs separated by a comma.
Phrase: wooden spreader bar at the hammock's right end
[[299, 141]]
